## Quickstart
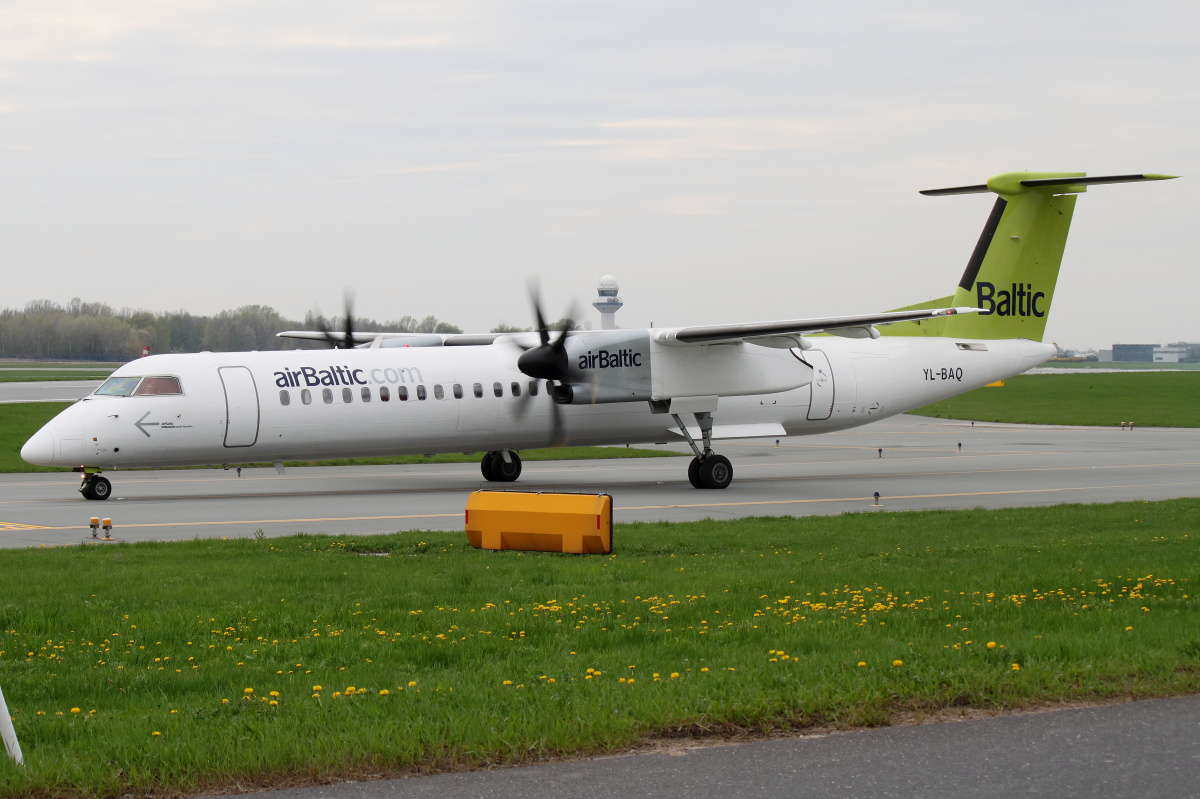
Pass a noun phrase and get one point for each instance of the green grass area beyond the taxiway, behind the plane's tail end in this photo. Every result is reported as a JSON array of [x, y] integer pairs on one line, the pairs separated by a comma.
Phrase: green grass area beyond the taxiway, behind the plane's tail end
[[1150, 400]]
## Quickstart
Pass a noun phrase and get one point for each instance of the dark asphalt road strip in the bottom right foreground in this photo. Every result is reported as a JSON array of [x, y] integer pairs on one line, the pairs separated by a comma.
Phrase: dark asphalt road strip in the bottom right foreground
[[1144, 749]]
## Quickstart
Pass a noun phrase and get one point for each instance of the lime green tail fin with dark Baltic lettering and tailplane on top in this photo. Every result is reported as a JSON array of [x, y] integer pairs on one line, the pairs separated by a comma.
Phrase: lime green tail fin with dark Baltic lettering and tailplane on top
[[1015, 267]]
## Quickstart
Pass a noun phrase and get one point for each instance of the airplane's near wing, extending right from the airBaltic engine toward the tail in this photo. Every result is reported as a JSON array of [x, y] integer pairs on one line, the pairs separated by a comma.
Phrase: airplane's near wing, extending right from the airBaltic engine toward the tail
[[779, 334]]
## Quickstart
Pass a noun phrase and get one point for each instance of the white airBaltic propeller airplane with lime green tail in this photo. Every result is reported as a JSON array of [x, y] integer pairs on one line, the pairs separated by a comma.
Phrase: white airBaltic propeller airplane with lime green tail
[[499, 394]]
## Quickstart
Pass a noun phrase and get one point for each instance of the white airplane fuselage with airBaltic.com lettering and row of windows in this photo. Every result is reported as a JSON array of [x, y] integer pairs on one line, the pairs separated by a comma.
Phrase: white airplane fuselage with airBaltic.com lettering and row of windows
[[251, 407]]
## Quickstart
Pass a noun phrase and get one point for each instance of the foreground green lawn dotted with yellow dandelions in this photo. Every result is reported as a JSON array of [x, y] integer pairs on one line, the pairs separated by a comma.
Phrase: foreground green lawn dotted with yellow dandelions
[[759, 626]]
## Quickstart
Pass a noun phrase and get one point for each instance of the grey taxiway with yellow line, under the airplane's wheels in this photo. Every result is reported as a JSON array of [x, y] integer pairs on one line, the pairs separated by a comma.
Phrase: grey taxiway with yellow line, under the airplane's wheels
[[1000, 466]]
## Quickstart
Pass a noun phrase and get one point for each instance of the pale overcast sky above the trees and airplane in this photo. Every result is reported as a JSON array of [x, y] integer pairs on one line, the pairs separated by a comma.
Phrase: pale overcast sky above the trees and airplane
[[727, 161]]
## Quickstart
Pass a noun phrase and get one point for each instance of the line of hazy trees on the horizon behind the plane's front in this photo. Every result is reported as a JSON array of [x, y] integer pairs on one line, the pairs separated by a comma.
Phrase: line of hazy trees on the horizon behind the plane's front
[[95, 332]]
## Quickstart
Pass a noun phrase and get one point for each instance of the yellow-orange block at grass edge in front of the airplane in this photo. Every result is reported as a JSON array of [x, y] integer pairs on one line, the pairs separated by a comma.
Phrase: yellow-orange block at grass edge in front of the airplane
[[537, 522]]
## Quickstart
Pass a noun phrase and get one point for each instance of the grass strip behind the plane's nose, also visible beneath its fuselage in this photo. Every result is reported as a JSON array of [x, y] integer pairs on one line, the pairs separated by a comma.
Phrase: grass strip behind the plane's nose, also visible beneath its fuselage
[[19, 422]]
